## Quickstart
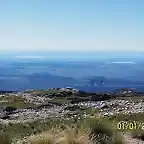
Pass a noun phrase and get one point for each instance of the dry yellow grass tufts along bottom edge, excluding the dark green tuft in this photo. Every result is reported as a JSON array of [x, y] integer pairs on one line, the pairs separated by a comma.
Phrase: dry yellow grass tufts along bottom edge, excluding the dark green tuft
[[67, 136]]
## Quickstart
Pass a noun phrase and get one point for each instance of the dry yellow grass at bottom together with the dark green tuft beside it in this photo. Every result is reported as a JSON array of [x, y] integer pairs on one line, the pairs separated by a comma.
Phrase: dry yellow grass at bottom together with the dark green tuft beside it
[[97, 133]]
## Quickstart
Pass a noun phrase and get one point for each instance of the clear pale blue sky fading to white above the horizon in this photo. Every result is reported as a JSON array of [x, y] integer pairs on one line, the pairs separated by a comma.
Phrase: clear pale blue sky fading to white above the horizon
[[72, 25]]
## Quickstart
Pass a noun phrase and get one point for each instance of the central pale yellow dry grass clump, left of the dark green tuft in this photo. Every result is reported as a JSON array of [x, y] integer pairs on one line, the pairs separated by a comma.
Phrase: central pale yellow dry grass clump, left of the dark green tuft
[[68, 136]]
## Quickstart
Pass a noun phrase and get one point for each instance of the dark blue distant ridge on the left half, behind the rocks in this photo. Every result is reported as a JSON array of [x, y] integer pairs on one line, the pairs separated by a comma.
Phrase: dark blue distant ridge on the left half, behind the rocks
[[35, 81]]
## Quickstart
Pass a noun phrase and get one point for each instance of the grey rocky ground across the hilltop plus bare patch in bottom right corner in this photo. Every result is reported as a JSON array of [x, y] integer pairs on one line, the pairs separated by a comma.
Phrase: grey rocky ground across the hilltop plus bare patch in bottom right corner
[[64, 104]]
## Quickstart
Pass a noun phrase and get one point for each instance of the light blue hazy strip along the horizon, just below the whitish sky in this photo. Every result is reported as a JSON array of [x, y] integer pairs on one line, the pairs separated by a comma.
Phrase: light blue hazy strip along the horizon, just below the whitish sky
[[73, 55]]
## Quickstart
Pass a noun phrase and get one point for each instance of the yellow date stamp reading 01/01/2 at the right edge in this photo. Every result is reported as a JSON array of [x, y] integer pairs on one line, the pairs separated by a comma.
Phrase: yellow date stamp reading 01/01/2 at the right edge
[[133, 125]]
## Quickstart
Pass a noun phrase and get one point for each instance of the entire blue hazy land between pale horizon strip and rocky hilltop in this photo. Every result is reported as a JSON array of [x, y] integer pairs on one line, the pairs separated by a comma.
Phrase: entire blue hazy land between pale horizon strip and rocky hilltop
[[106, 74]]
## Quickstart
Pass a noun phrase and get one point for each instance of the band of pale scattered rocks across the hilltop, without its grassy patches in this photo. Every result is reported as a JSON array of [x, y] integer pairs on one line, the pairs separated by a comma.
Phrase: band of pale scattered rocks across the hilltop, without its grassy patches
[[43, 106]]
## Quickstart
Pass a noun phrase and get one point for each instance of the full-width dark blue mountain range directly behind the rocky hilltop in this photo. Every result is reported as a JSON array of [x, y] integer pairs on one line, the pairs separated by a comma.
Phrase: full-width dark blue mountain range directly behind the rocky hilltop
[[46, 80]]
